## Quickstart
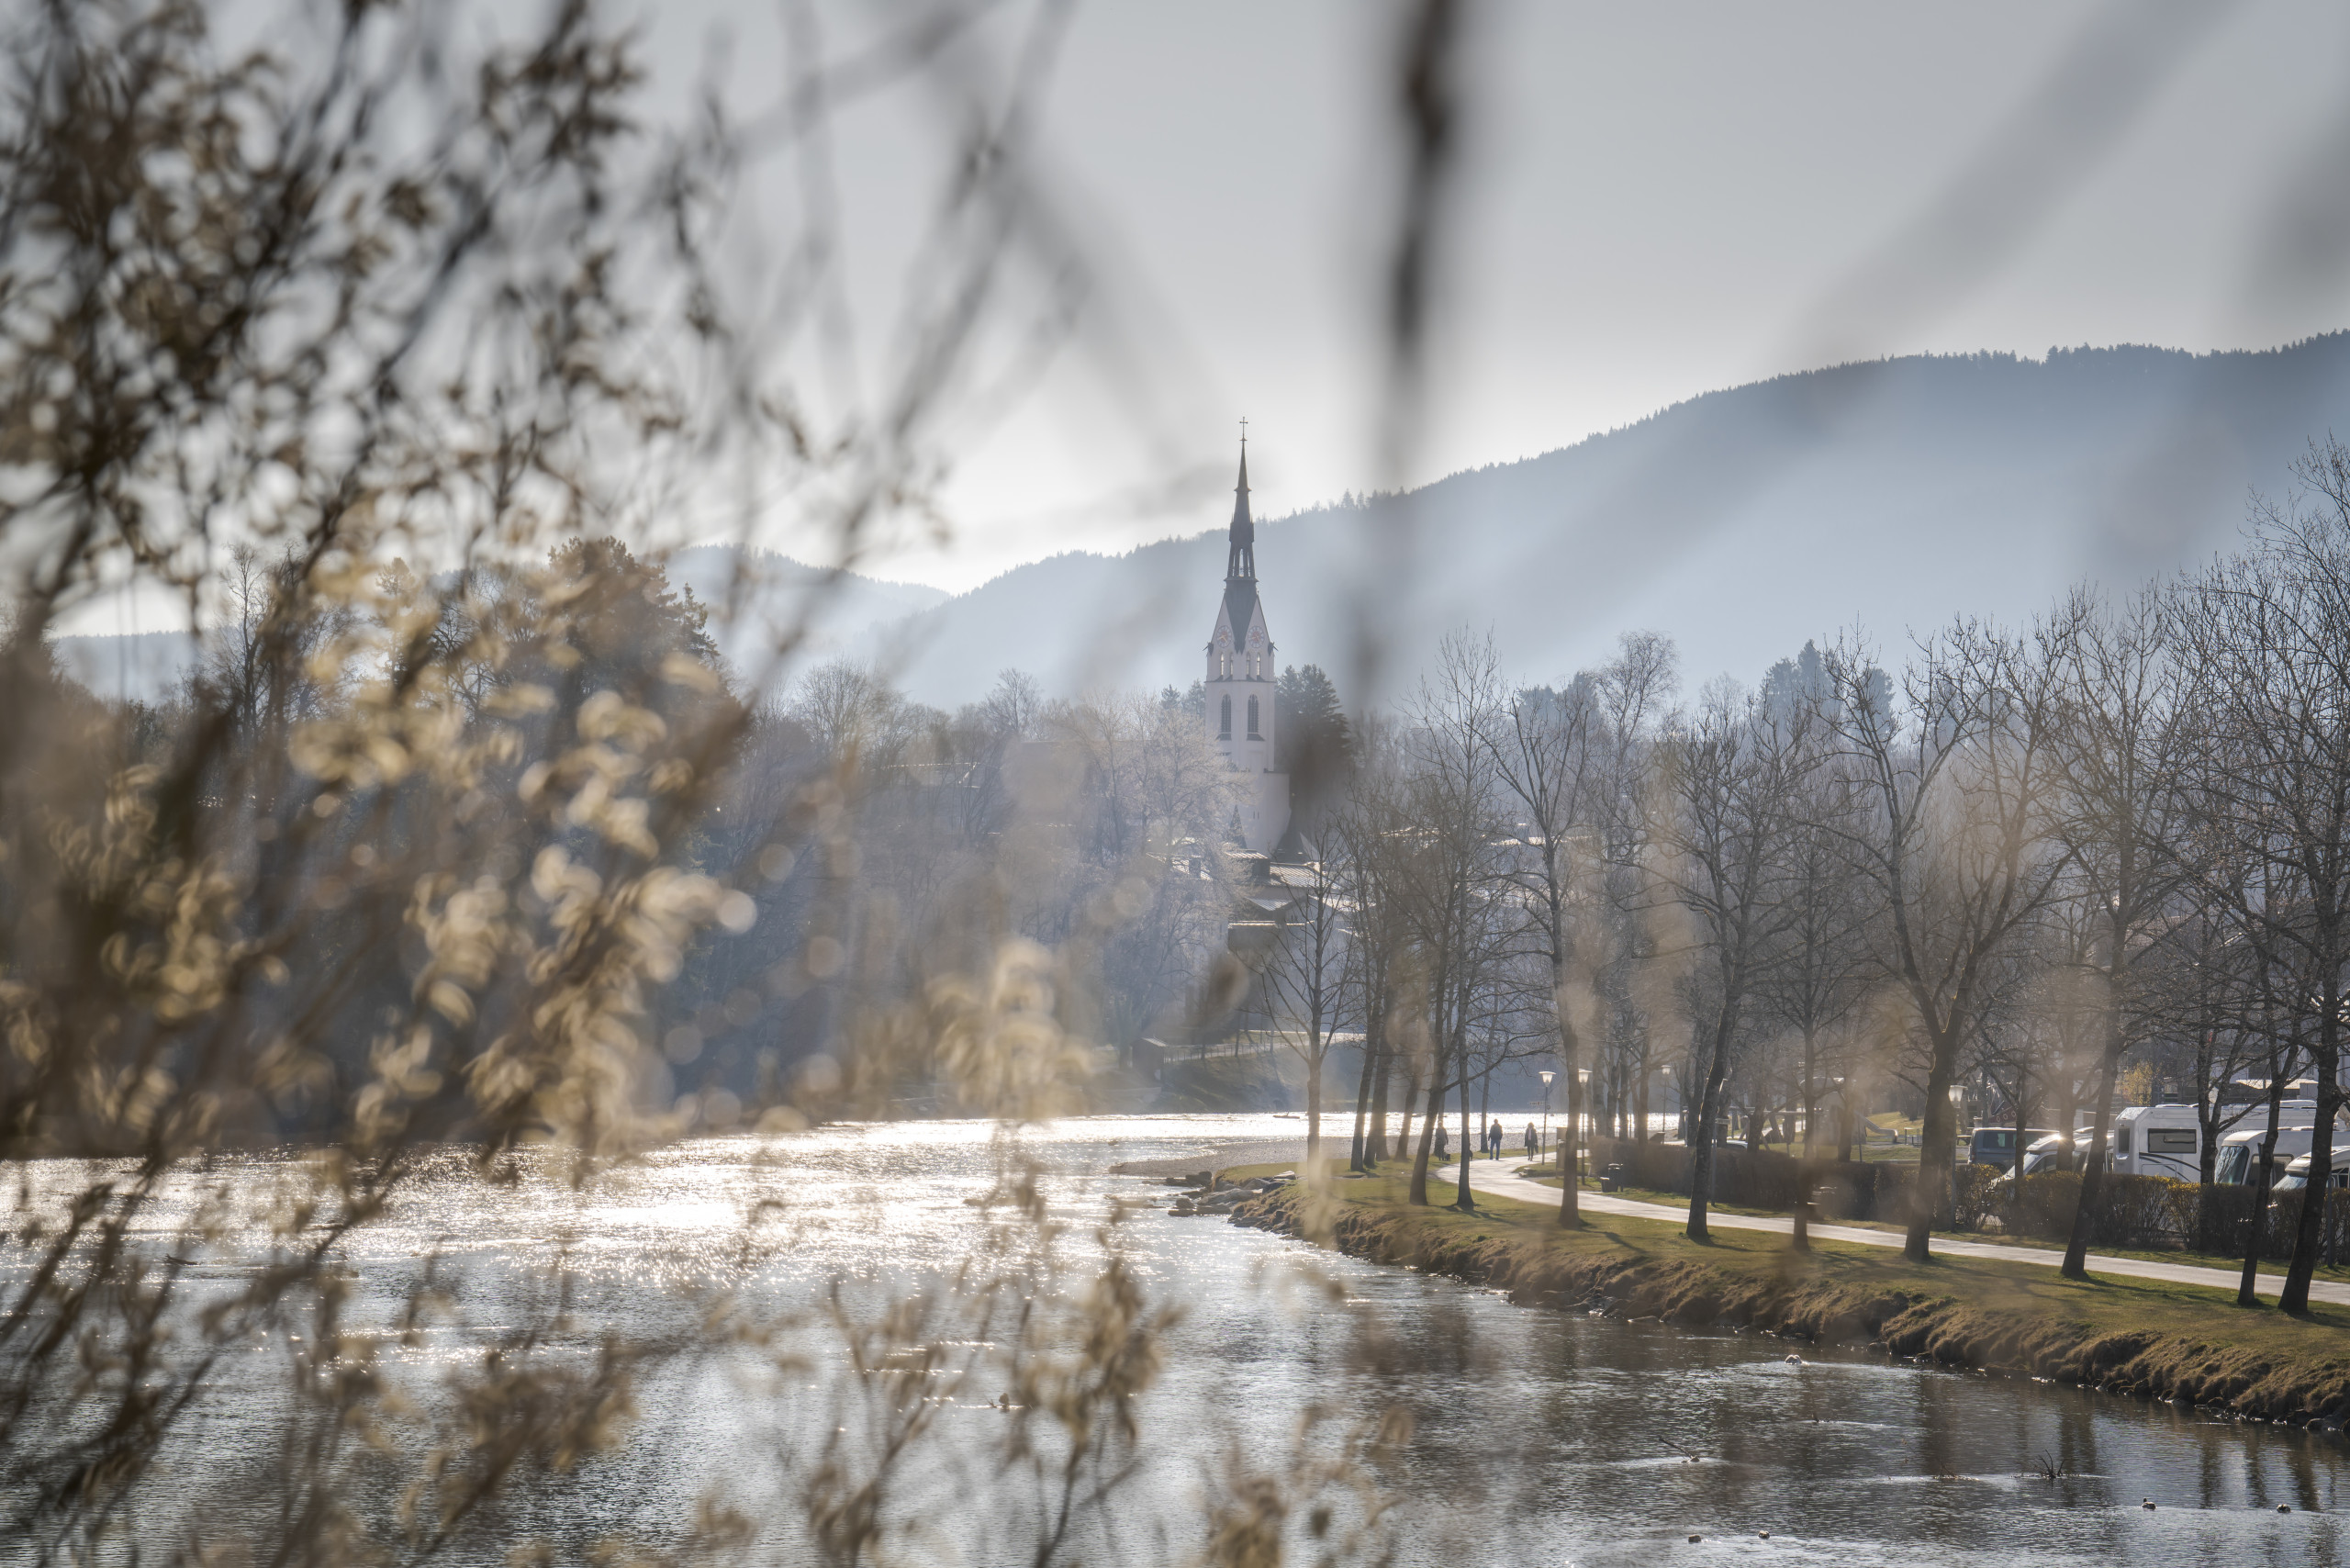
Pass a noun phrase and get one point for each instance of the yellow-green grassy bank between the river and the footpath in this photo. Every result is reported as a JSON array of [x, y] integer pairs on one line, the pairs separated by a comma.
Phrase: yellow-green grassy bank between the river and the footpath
[[2126, 1336]]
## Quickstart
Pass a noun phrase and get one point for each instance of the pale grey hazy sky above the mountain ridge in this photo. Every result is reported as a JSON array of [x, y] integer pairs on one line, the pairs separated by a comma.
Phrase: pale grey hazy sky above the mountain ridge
[[1656, 201]]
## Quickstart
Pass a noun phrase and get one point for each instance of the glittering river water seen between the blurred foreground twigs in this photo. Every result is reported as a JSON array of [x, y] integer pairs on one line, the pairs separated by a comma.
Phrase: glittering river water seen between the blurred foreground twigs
[[1538, 1435]]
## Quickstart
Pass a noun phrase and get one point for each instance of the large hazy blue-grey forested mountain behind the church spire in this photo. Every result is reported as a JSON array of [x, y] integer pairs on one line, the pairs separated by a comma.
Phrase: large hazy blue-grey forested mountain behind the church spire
[[1743, 523]]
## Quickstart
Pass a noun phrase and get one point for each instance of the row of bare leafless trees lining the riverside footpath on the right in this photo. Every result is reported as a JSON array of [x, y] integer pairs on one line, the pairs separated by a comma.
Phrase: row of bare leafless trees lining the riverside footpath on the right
[[2034, 866]]
